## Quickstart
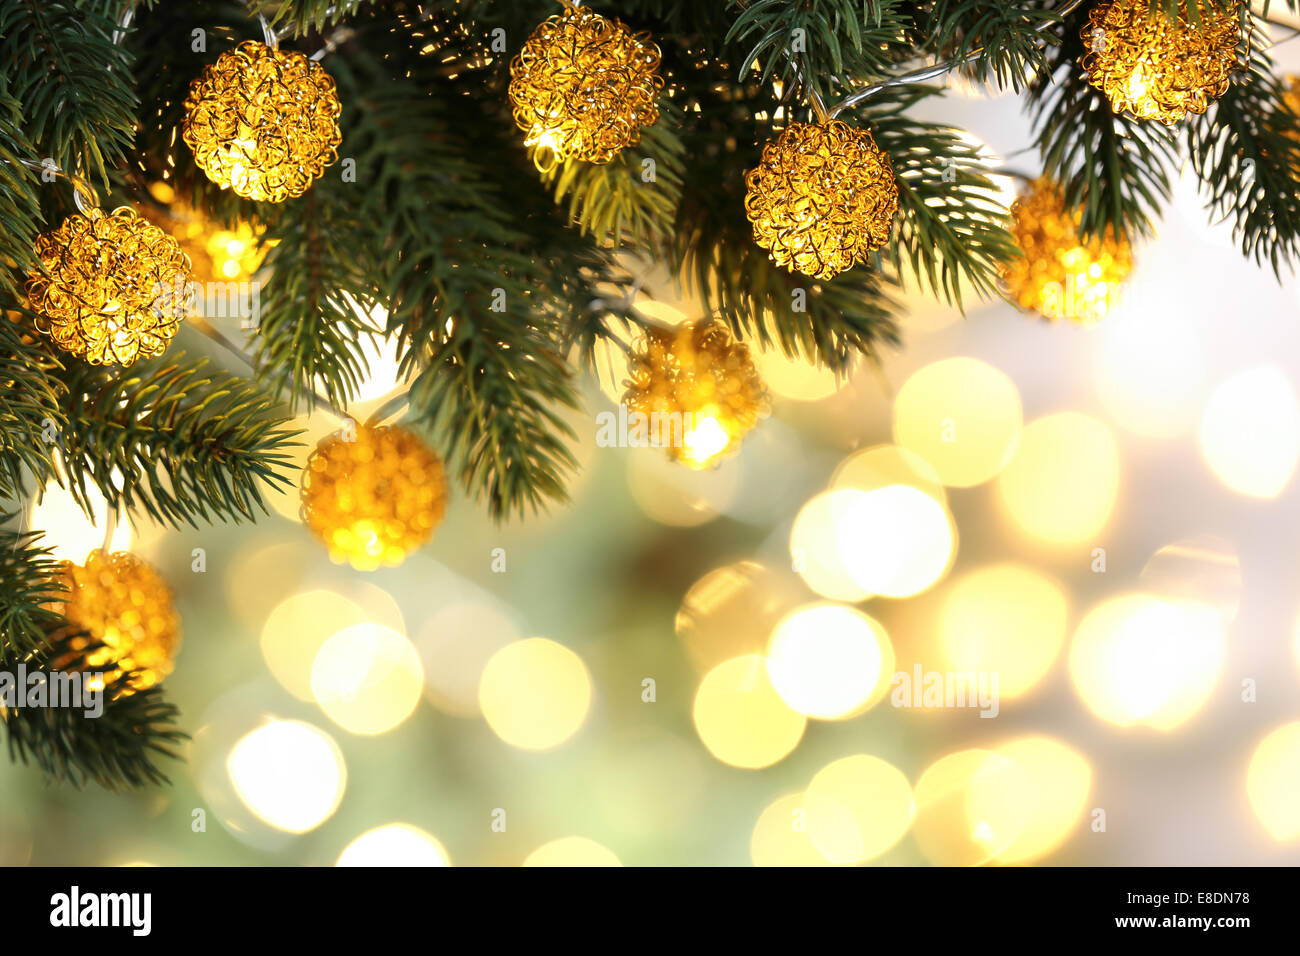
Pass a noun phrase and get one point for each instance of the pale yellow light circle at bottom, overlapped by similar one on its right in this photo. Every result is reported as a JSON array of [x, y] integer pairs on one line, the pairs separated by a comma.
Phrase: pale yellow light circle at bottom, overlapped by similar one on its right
[[972, 806]]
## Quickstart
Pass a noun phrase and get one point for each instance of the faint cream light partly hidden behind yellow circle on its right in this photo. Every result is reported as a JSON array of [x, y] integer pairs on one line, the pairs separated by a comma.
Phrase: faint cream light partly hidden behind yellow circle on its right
[[456, 646]]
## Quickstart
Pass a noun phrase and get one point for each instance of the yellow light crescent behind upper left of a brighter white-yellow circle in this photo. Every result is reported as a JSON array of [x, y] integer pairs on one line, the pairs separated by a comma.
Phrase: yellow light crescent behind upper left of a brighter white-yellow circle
[[297, 630]]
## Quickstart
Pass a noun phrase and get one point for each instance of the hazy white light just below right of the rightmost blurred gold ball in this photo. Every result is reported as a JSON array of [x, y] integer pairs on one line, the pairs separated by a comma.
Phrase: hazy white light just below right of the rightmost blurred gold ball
[[1151, 373]]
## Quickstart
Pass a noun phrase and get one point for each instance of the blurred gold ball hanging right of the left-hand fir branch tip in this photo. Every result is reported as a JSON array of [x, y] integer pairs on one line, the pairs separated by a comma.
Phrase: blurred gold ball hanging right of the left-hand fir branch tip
[[374, 495]]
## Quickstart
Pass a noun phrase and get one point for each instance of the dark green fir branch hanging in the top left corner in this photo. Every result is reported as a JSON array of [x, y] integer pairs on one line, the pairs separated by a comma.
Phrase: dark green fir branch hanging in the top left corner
[[73, 83]]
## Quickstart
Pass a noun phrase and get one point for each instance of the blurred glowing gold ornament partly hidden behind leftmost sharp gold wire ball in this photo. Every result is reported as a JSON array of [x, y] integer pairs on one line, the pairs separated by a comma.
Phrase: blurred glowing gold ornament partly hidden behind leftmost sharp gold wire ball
[[218, 253]]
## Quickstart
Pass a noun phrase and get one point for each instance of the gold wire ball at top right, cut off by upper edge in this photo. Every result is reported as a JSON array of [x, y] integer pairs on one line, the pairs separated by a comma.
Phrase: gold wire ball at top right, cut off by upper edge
[[1156, 67]]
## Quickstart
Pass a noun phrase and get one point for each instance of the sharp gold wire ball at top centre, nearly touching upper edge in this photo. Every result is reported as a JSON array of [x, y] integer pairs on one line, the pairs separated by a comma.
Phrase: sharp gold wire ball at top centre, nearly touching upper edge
[[583, 88]]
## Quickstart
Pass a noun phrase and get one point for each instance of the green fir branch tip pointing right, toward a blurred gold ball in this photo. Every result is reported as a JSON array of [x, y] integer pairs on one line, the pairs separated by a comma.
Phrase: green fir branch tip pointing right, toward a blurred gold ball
[[177, 440]]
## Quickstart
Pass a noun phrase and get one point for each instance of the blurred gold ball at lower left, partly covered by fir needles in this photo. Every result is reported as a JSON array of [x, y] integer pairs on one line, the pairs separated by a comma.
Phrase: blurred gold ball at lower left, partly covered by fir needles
[[124, 605]]
